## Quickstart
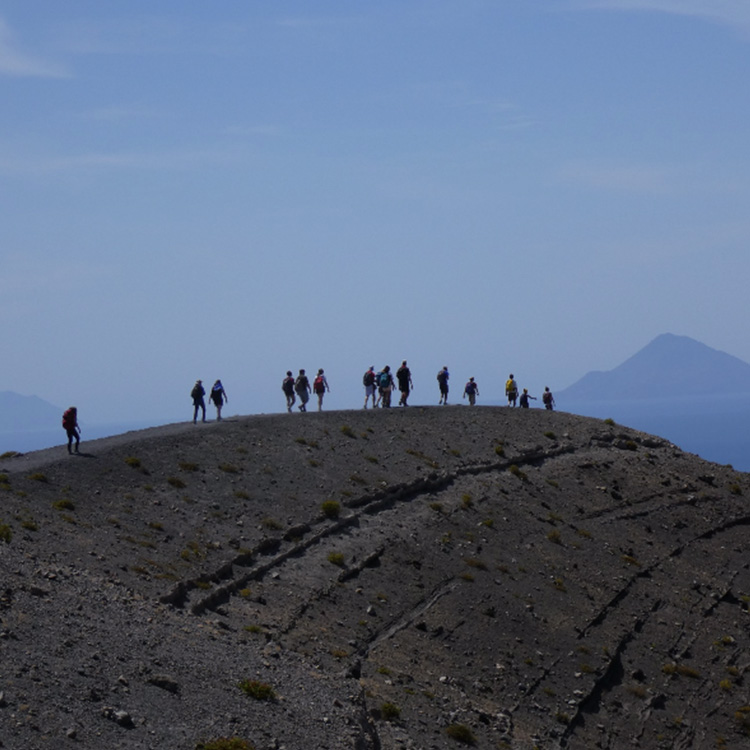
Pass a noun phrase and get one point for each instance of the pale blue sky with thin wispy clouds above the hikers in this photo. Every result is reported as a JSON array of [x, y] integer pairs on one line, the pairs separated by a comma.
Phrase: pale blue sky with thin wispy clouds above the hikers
[[238, 188]]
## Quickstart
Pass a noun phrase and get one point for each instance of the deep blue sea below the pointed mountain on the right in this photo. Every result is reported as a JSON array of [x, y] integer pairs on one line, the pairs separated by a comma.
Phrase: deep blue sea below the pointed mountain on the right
[[716, 428]]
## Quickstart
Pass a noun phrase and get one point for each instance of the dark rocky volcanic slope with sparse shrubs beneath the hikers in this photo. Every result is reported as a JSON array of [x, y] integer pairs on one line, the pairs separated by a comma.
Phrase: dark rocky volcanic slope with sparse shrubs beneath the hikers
[[540, 579]]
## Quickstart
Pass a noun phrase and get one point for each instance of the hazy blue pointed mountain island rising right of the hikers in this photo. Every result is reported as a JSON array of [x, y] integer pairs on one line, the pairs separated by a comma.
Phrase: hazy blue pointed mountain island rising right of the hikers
[[669, 367]]
